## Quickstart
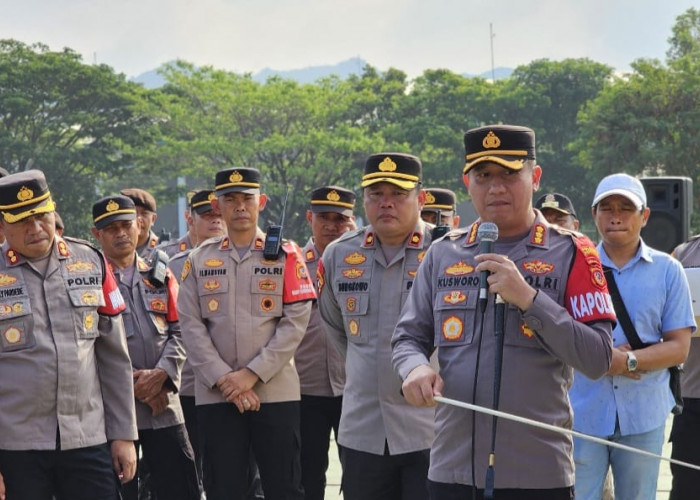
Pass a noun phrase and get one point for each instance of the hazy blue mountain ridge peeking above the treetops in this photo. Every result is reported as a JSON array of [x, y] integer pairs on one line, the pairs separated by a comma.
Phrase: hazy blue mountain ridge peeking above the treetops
[[354, 66]]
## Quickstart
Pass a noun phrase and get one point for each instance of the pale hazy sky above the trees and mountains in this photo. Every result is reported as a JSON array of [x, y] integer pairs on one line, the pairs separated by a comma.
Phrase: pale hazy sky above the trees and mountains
[[135, 36]]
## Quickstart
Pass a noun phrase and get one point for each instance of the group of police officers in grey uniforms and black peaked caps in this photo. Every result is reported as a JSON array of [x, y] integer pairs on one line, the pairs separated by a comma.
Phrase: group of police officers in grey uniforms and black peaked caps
[[226, 361]]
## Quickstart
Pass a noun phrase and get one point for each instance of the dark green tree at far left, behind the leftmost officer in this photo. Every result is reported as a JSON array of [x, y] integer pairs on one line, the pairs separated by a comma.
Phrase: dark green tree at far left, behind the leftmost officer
[[73, 121]]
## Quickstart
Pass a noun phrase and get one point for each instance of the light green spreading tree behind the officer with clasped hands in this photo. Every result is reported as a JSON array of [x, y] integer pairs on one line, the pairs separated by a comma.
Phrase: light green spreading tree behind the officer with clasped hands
[[299, 136]]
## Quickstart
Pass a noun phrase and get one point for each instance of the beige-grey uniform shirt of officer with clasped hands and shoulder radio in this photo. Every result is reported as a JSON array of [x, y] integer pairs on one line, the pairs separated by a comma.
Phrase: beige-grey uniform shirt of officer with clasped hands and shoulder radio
[[244, 311]]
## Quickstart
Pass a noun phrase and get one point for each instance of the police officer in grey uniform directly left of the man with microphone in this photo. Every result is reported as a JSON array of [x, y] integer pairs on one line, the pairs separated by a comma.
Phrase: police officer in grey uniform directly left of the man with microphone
[[364, 279]]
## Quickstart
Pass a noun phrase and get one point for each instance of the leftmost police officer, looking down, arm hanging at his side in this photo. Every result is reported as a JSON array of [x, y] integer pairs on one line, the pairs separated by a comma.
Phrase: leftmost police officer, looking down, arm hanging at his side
[[67, 420]]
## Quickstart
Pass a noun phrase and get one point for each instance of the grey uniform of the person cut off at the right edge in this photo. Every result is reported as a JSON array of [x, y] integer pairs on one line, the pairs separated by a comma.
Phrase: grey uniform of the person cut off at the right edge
[[686, 426]]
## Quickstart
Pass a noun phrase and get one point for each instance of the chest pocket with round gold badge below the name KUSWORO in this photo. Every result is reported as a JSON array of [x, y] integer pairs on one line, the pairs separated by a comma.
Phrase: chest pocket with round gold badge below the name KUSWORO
[[455, 312]]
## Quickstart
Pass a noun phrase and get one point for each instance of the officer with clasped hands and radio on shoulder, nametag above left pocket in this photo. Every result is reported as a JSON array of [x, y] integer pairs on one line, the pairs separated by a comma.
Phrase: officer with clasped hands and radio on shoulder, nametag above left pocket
[[243, 315]]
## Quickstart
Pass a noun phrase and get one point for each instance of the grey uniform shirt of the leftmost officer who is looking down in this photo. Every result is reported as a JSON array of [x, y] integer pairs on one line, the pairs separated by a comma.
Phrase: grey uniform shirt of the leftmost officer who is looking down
[[63, 354]]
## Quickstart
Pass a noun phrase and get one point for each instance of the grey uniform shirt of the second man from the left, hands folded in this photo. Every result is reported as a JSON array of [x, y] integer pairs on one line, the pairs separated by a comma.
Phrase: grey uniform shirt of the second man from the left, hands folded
[[153, 336]]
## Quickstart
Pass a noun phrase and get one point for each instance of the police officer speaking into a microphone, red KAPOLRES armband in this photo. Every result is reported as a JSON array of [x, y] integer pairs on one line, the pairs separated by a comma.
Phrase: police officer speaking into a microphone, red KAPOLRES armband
[[546, 276]]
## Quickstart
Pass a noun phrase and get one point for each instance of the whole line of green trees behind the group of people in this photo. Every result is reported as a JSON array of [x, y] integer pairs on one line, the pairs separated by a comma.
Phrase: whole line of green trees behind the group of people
[[91, 131]]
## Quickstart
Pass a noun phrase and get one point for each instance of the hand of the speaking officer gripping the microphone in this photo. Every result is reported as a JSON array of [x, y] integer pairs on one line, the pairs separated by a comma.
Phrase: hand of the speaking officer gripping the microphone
[[506, 280]]
